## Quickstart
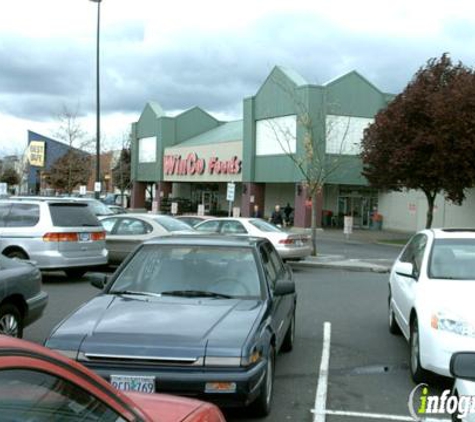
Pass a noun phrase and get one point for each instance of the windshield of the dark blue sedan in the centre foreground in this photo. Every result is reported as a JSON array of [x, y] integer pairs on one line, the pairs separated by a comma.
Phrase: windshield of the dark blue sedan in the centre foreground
[[191, 271]]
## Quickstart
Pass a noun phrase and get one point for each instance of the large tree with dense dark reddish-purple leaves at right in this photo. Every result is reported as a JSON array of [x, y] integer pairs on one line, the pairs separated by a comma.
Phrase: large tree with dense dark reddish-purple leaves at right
[[425, 138]]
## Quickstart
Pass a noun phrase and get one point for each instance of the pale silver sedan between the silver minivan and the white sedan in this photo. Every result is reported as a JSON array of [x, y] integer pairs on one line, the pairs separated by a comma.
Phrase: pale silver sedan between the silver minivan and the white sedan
[[125, 232]]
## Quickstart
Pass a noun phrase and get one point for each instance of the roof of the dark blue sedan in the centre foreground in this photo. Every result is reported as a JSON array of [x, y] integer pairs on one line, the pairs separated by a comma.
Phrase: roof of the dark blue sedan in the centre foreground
[[207, 239]]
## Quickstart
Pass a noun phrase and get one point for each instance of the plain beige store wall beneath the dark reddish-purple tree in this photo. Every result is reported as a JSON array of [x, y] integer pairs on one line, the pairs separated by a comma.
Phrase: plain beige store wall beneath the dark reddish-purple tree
[[406, 211]]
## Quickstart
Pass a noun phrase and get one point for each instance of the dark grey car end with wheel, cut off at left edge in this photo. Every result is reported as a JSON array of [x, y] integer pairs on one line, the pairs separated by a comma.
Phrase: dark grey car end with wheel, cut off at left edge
[[22, 300]]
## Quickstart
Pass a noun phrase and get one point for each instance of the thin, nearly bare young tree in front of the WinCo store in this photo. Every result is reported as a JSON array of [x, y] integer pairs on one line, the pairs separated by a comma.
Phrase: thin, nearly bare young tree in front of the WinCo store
[[314, 164]]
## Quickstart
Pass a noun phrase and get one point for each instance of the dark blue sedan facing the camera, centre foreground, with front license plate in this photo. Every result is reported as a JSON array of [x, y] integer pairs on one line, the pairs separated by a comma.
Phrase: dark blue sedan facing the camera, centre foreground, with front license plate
[[197, 315]]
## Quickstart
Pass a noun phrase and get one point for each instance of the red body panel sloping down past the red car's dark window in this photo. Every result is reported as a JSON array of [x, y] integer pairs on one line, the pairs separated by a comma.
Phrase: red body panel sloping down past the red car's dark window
[[165, 408]]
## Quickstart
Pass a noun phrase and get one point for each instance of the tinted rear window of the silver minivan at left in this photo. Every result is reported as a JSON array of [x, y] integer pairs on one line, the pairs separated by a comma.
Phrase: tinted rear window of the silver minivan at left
[[72, 215]]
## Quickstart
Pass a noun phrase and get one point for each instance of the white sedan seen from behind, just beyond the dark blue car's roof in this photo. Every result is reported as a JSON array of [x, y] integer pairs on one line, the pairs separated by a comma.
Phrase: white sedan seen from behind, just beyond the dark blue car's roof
[[291, 246]]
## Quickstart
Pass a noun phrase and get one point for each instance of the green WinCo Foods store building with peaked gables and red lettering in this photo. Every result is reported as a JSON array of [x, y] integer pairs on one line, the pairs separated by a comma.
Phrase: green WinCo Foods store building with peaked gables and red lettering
[[190, 158]]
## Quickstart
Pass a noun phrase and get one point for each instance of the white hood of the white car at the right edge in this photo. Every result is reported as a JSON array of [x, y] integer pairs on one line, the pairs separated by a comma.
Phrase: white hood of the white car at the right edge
[[450, 295]]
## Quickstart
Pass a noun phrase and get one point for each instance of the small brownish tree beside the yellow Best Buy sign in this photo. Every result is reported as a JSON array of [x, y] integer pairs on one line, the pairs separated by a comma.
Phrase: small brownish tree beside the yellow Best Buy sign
[[69, 171]]
